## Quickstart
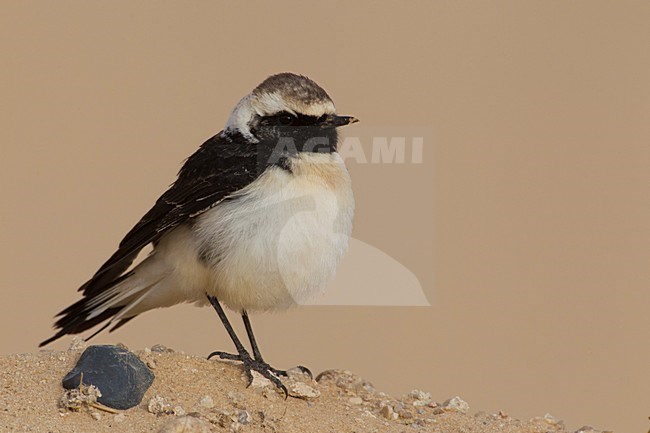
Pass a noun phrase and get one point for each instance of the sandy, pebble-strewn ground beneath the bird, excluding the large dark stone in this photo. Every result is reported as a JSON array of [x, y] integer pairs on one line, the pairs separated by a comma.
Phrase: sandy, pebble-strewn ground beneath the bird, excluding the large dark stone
[[192, 394]]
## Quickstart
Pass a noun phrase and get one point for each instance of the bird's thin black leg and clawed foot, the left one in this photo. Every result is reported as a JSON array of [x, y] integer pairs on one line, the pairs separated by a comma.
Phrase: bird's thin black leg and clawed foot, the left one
[[250, 364]]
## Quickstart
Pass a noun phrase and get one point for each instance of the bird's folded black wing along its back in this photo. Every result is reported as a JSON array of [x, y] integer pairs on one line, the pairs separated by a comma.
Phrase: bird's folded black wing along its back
[[221, 166]]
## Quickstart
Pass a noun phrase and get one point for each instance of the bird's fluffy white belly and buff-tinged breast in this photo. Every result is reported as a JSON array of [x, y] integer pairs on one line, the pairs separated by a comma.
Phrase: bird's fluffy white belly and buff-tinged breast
[[278, 242]]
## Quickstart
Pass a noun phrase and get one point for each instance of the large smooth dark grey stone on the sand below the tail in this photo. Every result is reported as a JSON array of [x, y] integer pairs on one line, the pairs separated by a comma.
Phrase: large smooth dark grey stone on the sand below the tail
[[120, 375]]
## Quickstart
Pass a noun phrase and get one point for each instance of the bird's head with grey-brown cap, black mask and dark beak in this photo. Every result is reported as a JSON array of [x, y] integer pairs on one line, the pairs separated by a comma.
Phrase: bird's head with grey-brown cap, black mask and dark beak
[[291, 107]]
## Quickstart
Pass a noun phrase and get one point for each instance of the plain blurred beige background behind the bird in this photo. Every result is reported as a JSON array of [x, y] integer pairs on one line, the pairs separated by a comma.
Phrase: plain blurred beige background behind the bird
[[527, 224]]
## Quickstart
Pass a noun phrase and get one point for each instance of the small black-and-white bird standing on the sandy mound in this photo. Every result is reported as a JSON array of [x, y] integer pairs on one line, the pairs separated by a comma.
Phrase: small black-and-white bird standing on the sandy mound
[[257, 220]]
